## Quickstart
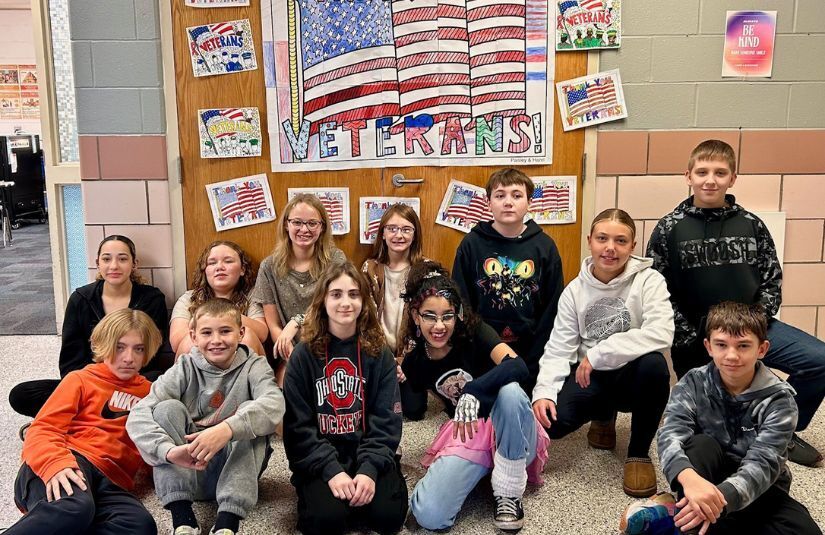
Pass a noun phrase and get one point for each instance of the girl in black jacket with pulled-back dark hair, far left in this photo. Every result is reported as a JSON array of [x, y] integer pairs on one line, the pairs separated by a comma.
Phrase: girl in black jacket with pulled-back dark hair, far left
[[118, 286]]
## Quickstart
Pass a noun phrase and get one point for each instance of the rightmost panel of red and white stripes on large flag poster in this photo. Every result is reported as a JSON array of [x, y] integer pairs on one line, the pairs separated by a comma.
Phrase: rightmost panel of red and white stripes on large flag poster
[[497, 56]]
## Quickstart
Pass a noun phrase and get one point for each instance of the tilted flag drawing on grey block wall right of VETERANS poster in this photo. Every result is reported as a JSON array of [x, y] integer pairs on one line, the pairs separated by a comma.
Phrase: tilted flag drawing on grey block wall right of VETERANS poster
[[592, 99]]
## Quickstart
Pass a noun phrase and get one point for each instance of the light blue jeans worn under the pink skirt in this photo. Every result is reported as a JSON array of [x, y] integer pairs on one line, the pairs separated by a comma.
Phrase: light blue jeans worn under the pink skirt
[[439, 495]]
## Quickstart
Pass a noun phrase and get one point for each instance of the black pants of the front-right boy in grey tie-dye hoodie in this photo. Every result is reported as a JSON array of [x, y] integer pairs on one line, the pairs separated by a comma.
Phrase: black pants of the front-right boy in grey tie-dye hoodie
[[772, 513]]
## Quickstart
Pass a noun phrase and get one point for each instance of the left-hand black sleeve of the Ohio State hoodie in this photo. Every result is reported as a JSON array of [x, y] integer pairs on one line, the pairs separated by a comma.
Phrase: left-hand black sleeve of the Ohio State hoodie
[[307, 452]]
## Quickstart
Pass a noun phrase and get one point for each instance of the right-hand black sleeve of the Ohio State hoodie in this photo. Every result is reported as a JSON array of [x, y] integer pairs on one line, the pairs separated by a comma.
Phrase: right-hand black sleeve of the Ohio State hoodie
[[376, 452]]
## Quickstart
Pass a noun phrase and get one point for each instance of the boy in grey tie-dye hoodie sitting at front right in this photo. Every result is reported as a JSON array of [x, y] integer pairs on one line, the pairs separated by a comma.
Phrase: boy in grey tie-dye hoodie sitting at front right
[[723, 444]]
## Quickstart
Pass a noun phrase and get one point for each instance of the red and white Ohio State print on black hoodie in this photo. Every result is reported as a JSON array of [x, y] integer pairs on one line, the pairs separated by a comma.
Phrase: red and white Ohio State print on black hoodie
[[338, 396]]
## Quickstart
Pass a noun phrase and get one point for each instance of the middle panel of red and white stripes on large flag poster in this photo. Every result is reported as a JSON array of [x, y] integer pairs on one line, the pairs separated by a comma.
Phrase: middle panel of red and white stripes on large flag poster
[[433, 57]]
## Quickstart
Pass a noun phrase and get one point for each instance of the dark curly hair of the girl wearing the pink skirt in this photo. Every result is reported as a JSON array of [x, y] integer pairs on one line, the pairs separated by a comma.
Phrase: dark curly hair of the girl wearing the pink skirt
[[429, 279]]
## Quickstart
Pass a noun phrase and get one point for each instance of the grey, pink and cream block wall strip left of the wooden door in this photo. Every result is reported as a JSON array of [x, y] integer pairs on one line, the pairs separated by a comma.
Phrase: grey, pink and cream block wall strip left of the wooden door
[[121, 124]]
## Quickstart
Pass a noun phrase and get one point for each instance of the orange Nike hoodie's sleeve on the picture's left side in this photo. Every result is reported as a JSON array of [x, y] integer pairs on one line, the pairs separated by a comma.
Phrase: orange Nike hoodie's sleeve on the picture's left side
[[46, 450]]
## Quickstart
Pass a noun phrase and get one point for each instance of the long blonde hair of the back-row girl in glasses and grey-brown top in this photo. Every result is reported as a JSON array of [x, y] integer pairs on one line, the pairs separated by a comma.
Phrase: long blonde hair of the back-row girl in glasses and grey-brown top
[[283, 254]]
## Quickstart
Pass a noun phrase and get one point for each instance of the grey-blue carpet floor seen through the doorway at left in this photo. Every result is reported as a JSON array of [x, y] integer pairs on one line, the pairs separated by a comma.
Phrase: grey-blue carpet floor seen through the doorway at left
[[26, 287]]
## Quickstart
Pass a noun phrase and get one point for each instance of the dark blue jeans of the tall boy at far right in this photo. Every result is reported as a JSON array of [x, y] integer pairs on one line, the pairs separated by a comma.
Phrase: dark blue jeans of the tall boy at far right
[[802, 357]]
